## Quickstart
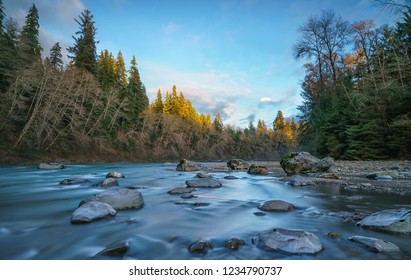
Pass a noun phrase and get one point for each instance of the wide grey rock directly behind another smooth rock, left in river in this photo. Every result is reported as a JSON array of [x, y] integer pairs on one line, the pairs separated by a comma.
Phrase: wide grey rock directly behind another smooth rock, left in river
[[119, 199]]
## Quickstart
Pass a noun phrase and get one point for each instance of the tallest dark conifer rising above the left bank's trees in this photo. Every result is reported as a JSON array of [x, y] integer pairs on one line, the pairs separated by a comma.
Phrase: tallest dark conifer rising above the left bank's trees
[[84, 50]]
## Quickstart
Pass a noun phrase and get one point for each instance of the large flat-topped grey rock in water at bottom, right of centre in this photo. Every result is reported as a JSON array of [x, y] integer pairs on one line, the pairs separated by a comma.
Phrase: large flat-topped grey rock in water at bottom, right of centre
[[288, 241]]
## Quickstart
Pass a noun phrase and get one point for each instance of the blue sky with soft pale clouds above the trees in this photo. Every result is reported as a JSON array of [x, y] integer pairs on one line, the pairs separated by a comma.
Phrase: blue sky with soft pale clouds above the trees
[[234, 57]]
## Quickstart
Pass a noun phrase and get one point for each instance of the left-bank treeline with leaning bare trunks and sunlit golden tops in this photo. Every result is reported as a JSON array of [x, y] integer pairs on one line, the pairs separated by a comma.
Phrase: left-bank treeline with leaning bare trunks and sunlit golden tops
[[94, 109]]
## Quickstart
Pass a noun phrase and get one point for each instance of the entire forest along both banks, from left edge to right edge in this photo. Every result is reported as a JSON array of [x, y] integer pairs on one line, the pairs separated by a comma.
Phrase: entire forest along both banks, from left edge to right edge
[[356, 94]]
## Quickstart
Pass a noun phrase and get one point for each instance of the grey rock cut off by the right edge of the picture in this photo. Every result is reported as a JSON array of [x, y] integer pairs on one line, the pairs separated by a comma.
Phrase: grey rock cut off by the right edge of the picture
[[393, 220]]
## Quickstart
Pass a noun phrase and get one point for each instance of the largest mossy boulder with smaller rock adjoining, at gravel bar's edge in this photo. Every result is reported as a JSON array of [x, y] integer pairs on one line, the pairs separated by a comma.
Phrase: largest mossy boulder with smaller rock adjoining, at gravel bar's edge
[[303, 162]]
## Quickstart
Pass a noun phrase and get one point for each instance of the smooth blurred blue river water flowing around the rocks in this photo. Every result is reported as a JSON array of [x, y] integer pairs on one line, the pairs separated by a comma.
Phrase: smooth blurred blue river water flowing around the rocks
[[35, 213]]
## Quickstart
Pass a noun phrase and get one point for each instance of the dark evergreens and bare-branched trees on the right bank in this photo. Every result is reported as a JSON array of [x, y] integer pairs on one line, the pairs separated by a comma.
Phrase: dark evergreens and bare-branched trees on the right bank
[[357, 104]]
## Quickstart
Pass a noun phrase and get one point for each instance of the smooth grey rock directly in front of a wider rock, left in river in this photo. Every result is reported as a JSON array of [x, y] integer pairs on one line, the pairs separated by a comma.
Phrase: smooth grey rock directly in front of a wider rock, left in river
[[91, 211]]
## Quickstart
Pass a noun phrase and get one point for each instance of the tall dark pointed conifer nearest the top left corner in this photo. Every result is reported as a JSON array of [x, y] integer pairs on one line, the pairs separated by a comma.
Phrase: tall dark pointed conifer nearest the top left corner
[[29, 47]]
